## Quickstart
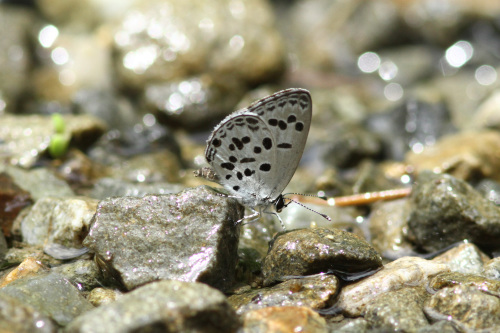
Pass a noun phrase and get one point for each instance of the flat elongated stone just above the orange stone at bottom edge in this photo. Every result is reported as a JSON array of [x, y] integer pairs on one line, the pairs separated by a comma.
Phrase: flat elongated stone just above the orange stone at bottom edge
[[313, 291]]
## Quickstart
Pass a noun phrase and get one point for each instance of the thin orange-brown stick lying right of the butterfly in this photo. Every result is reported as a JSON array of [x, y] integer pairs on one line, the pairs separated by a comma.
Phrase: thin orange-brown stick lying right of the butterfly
[[357, 199]]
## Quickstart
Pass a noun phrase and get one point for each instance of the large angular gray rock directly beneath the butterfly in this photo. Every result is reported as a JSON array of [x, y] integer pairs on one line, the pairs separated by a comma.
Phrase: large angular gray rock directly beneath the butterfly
[[189, 236]]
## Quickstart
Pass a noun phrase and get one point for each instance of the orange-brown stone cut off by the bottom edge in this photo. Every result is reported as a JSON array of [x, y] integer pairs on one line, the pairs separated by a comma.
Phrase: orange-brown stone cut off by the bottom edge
[[278, 319]]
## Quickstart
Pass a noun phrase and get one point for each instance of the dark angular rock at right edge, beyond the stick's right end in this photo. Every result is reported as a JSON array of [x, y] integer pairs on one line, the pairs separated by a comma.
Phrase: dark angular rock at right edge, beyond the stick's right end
[[445, 210]]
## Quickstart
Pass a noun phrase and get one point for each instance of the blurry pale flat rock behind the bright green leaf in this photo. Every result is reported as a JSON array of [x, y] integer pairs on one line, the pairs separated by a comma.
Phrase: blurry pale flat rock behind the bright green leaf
[[28, 136]]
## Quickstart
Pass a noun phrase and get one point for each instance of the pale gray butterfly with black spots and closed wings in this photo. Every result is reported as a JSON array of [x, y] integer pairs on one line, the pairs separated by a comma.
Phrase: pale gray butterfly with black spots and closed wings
[[254, 152]]
